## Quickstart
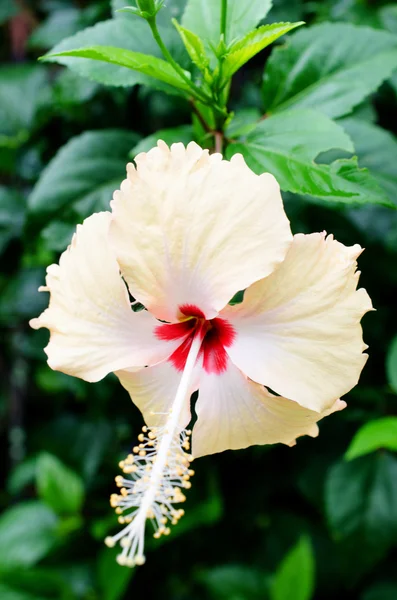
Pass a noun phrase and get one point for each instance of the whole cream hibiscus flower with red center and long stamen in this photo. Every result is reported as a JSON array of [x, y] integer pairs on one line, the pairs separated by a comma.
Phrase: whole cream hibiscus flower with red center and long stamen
[[187, 231]]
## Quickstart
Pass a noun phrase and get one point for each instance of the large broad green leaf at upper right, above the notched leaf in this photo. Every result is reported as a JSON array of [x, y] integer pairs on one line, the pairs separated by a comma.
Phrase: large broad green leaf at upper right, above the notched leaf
[[330, 67]]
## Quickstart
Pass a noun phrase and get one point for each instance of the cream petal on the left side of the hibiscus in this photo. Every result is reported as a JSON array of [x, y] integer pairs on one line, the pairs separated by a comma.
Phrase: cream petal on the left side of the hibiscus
[[93, 328]]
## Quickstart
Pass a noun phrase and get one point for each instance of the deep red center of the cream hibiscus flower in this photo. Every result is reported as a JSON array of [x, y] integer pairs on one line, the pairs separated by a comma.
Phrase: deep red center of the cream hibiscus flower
[[217, 333]]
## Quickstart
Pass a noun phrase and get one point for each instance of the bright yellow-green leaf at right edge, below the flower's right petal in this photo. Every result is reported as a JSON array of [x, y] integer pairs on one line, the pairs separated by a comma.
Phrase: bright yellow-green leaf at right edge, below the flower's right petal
[[381, 433]]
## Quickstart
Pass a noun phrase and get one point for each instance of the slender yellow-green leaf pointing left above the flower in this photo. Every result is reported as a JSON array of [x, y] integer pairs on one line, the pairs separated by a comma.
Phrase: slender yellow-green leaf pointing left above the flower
[[141, 63]]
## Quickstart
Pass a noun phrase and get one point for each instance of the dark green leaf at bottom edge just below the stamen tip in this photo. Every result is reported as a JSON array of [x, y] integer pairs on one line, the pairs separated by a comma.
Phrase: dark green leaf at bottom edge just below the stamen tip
[[113, 579]]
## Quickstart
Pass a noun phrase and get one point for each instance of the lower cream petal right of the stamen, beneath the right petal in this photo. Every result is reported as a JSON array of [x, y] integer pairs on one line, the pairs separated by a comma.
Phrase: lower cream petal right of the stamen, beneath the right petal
[[235, 412]]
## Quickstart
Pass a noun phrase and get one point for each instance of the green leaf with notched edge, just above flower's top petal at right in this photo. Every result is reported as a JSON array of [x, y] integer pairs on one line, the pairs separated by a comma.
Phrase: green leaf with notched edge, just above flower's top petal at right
[[286, 146]]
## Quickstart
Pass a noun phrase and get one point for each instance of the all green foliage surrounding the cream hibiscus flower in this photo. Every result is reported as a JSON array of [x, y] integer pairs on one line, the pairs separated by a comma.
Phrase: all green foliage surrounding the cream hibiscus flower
[[317, 521]]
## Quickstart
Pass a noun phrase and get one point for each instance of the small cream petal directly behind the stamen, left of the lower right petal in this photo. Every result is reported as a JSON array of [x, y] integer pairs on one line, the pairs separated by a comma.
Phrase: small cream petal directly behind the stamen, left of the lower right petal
[[153, 391]]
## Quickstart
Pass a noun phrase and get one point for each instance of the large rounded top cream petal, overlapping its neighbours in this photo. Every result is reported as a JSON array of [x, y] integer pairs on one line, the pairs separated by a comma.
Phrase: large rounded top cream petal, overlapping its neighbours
[[193, 229]]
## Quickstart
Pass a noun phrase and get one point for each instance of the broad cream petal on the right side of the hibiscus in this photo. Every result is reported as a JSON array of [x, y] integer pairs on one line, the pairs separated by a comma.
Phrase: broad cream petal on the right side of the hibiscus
[[298, 331]]
